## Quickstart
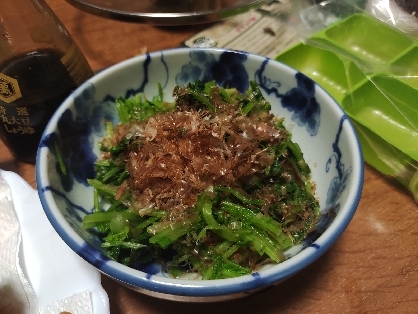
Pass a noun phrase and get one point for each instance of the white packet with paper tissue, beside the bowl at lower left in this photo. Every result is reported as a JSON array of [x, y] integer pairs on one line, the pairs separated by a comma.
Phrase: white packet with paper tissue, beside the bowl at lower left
[[57, 280]]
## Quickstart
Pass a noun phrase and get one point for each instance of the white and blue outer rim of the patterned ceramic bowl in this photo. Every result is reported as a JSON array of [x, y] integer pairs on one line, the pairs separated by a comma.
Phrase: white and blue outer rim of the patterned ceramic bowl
[[202, 288]]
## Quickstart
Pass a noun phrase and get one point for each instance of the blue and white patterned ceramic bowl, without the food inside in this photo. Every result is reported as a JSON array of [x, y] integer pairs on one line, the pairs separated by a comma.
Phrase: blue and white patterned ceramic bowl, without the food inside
[[318, 124]]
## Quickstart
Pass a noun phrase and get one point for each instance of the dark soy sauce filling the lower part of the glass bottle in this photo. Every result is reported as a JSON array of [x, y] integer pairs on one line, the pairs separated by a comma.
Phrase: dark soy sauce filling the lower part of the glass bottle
[[44, 84]]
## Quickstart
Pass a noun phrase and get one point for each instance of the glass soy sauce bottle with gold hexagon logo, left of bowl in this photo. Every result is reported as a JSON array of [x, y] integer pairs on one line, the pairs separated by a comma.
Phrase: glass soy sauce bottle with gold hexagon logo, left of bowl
[[40, 65]]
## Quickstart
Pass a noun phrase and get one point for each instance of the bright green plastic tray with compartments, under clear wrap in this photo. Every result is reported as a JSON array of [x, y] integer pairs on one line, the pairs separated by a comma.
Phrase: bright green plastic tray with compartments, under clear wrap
[[371, 69]]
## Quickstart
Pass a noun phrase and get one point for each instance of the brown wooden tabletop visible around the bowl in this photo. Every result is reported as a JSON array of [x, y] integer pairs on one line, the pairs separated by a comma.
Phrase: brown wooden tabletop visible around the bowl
[[372, 268]]
